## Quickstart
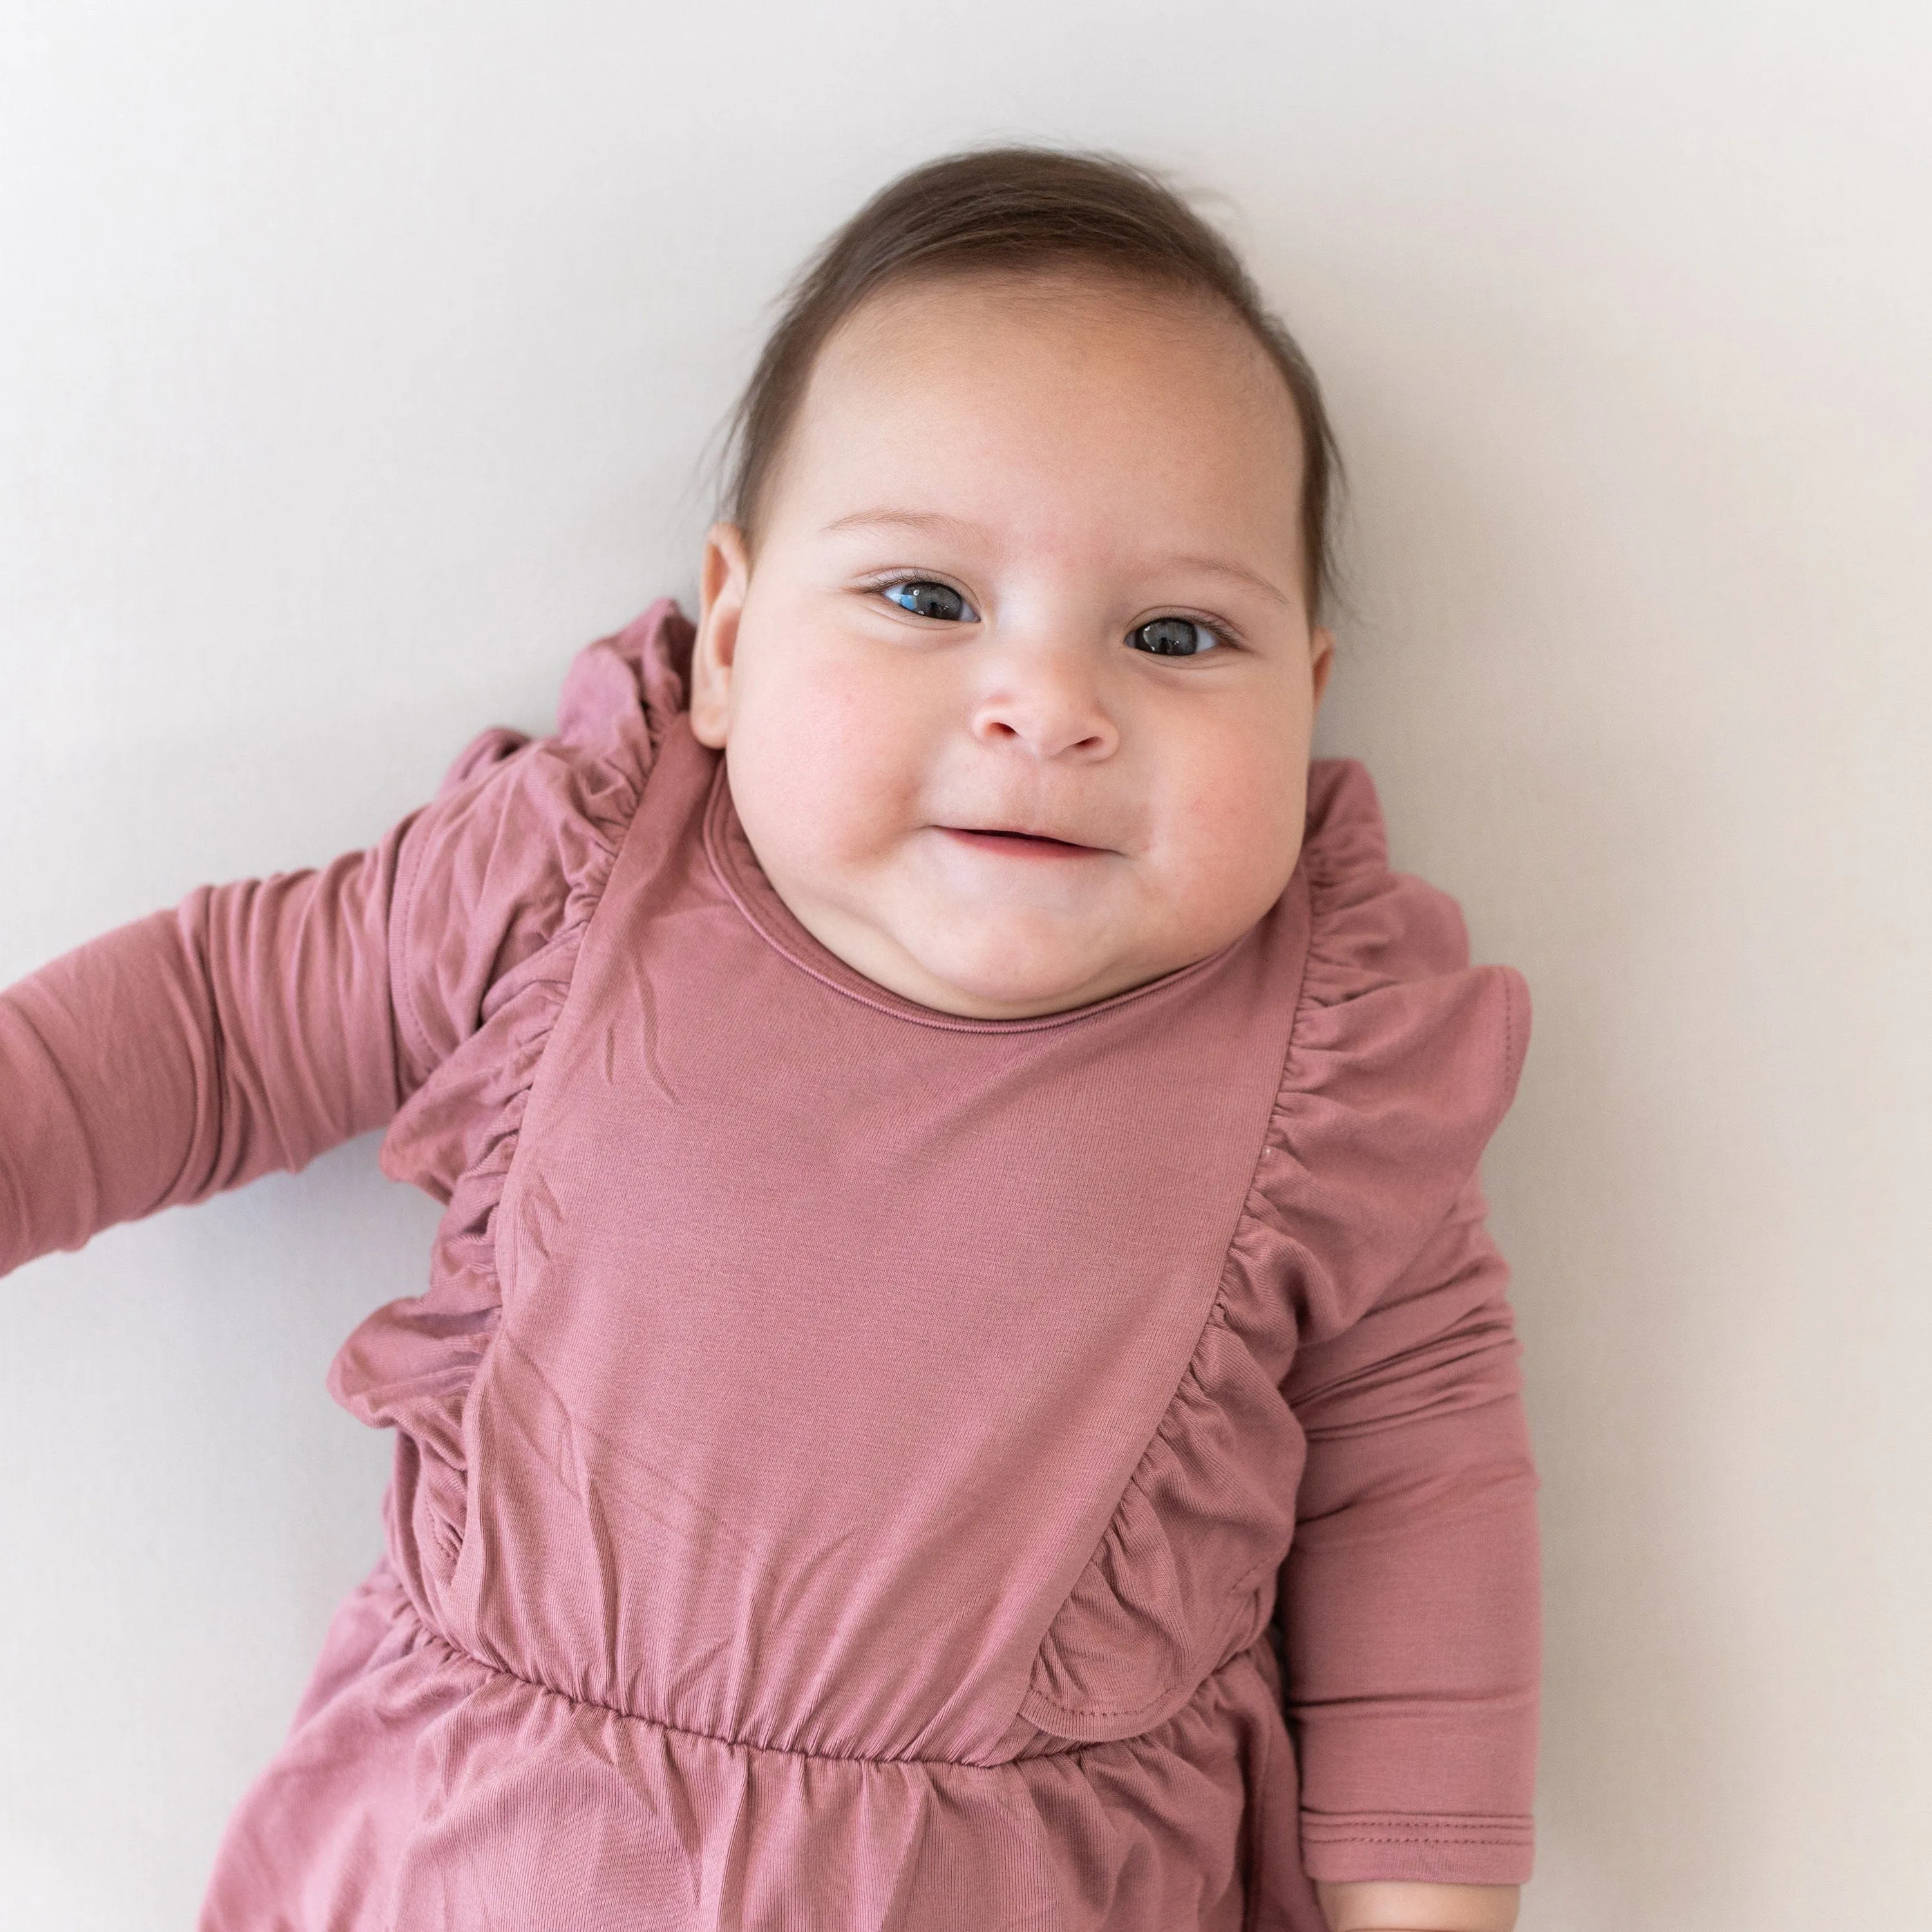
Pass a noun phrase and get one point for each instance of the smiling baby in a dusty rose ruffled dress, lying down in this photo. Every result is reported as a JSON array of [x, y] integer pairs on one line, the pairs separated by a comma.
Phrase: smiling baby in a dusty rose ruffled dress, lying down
[[963, 1382]]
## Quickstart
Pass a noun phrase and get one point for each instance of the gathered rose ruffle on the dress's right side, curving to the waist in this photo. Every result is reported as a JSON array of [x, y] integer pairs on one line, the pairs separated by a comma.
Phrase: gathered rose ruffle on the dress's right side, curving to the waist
[[1402, 1062]]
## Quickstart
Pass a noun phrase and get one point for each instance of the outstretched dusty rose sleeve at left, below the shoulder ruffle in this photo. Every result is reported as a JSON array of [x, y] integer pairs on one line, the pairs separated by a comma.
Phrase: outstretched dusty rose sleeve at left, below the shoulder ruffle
[[242, 1033]]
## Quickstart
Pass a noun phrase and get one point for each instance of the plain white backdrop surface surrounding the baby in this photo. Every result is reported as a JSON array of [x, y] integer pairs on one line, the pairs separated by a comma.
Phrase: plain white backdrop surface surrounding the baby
[[358, 362]]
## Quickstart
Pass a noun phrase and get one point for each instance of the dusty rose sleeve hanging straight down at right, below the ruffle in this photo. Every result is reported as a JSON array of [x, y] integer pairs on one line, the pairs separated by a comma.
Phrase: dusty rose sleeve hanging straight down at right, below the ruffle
[[1411, 1591]]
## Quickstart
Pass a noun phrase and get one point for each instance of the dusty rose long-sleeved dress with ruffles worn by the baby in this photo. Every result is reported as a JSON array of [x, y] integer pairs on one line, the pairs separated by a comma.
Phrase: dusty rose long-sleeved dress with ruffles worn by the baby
[[855, 1467]]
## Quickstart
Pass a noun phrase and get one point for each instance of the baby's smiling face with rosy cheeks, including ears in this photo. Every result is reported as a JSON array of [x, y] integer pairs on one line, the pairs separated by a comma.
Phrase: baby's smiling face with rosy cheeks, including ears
[[1017, 695]]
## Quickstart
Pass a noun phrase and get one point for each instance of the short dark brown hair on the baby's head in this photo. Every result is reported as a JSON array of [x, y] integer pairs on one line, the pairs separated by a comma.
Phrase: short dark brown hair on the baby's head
[[1021, 208]]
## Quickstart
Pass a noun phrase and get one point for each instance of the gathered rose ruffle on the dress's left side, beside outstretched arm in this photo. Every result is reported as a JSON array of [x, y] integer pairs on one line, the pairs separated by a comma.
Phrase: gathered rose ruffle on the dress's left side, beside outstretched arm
[[497, 884]]
